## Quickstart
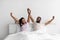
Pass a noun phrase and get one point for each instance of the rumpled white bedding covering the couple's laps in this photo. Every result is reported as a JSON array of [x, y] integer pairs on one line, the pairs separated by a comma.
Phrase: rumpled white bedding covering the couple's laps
[[36, 35]]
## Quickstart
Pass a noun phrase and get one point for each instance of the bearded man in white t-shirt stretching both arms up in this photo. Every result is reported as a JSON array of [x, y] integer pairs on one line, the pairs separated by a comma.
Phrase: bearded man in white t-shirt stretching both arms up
[[37, 24]]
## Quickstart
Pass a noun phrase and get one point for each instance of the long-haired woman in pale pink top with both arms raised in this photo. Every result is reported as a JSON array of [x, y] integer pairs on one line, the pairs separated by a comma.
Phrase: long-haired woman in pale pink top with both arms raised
[[22, 22]]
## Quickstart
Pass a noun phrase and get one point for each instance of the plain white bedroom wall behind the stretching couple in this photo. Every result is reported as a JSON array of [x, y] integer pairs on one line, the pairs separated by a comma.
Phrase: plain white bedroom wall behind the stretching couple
[[44, 8]]
